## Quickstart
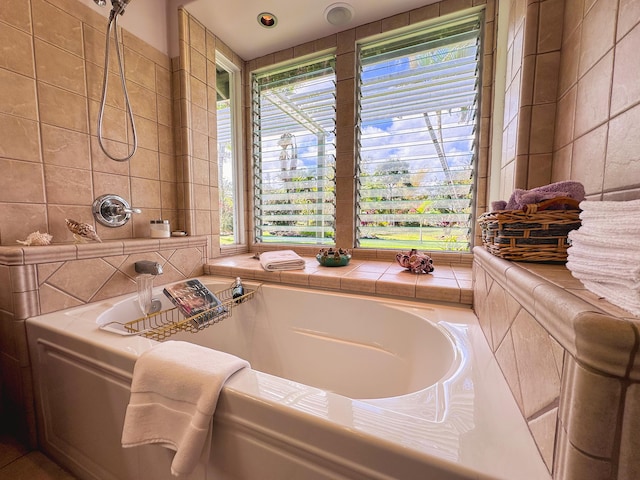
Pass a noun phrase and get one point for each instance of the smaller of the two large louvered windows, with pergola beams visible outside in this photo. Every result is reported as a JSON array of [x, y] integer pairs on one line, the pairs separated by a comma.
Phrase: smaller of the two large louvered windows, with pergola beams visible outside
[[294, 153]]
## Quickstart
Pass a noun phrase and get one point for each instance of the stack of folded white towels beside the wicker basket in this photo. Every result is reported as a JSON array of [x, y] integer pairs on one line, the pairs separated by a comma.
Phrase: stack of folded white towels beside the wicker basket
[[605, 252]]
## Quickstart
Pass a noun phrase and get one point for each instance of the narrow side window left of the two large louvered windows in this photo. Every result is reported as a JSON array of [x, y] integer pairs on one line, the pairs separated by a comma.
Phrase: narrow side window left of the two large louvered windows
[[229, 170]]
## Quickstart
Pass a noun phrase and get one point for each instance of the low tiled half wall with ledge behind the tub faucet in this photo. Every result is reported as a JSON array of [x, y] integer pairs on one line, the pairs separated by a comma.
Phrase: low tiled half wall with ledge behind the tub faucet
[[38, 280]]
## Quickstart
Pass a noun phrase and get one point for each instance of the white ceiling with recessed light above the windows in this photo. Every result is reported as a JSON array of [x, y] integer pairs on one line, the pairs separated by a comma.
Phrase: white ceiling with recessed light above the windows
[[299, 21]]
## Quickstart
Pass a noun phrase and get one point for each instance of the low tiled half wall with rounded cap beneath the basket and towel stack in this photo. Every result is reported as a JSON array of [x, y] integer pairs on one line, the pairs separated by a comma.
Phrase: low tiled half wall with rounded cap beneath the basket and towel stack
[[571, 362]]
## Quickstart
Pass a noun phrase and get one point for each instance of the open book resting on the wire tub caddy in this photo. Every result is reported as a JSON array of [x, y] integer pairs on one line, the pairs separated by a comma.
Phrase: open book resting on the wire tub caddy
[[193, 298]]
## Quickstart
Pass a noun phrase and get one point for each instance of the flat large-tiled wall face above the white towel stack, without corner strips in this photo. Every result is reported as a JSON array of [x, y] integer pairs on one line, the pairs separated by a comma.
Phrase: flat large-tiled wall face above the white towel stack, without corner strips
[[596, 140]]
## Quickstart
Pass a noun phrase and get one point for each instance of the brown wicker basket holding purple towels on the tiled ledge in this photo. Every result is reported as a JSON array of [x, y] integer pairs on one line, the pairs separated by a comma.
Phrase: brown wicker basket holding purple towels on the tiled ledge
[[534, 234]]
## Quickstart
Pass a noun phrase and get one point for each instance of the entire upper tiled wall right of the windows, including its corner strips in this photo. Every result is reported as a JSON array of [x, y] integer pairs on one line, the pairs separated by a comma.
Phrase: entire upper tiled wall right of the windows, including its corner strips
[[572, 101]]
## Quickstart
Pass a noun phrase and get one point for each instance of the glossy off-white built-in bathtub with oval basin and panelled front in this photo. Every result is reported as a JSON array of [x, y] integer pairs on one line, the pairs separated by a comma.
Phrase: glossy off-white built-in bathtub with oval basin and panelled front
[[341, 386]]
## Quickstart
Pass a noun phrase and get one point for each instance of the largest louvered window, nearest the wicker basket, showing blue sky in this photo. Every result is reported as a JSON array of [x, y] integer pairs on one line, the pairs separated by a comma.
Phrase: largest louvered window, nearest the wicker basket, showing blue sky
[[417, 145]]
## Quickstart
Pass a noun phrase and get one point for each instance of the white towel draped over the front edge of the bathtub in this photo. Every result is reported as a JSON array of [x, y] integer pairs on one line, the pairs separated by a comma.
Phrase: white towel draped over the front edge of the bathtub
[[174, 394]]
